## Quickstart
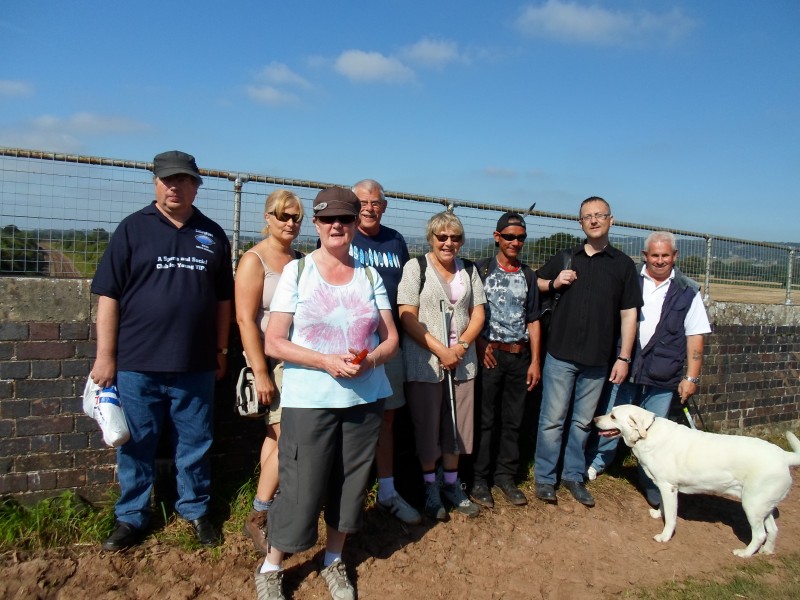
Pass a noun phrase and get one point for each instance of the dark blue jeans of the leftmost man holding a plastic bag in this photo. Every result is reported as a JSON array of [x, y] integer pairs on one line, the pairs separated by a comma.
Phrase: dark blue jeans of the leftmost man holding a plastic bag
[[186, 402]]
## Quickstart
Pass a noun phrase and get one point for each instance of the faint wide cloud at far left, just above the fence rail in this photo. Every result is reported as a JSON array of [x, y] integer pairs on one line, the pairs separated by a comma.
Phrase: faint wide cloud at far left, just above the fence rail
[[67, 134]]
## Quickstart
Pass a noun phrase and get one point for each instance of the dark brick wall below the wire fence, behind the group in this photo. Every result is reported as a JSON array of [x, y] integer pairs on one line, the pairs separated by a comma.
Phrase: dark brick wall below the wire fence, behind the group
[[750, 383]]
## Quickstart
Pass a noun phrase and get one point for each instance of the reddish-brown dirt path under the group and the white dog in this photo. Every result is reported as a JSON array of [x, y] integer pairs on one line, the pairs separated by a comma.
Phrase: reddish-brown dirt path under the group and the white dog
[[561, 552]]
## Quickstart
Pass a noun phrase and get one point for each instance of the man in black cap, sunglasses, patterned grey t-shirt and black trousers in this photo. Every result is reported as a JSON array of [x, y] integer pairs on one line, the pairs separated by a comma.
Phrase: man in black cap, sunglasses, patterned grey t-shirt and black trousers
[[509, 351]]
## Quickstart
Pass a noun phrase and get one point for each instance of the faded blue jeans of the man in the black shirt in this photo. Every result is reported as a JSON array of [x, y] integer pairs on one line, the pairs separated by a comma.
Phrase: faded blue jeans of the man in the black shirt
[[566, 385]]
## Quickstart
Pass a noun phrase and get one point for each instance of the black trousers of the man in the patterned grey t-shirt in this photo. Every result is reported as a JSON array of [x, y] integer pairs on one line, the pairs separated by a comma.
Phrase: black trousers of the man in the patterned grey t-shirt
[[503, 392]]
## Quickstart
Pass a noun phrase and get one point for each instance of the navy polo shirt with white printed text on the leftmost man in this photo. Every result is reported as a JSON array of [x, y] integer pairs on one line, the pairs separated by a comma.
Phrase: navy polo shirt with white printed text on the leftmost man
[[168, 282]]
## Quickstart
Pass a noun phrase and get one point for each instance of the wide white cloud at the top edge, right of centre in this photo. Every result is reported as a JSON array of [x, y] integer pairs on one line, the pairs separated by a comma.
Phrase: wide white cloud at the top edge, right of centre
[[593, 24]]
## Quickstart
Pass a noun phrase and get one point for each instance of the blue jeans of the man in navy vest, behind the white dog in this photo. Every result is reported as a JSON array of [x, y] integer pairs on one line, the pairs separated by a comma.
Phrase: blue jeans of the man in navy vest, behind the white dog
[[656, 400]]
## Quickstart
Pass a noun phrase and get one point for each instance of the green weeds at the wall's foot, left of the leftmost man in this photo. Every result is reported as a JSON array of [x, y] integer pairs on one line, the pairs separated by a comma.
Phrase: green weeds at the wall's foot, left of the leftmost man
[[55, 522]]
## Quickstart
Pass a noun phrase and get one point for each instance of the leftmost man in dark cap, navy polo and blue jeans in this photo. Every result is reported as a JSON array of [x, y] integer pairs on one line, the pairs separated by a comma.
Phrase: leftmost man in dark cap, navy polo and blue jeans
[[164, 289]]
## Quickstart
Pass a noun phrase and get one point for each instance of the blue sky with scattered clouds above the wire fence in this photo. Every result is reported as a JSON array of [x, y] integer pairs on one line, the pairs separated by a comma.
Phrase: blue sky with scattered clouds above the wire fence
[[682, 114]]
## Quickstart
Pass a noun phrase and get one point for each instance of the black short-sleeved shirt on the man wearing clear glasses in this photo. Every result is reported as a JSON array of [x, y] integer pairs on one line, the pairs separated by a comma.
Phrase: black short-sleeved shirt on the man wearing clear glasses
[[585, 325]]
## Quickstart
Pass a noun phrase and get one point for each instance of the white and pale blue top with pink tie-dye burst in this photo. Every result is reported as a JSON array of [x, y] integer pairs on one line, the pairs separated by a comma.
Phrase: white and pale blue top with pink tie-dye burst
[[330, 319]]
